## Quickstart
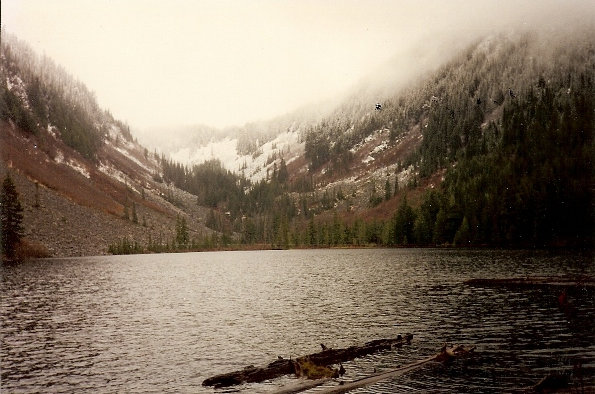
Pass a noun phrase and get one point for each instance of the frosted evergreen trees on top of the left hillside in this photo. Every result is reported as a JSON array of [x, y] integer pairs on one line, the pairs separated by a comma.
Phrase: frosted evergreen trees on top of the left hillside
[[41, 93]]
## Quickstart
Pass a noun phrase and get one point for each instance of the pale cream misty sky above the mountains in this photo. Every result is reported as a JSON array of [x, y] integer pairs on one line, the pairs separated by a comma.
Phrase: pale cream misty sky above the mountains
[[155, 62]]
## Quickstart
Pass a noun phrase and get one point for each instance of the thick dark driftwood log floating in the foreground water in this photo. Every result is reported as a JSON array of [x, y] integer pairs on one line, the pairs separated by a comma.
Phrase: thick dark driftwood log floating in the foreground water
[[278, 368]]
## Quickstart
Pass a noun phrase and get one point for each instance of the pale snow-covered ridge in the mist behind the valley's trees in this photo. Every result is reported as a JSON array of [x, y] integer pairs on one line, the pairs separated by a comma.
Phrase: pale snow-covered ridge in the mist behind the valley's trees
[[250, 149]]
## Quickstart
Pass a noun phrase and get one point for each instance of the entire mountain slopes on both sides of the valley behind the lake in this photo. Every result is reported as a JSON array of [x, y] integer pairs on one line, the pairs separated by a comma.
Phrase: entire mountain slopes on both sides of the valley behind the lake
[[488, 145]]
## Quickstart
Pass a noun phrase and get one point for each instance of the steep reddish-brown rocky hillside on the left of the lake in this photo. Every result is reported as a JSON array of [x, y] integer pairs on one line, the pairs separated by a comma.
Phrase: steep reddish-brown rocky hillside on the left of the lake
[[84, 182]]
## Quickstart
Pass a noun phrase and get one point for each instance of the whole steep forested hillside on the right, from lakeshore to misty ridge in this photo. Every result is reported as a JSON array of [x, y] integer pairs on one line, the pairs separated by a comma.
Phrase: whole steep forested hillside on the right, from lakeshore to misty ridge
[[495, 147]]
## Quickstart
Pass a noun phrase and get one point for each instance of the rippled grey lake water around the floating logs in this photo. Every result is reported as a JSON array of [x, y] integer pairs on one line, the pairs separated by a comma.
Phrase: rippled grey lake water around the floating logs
[[164, 323]]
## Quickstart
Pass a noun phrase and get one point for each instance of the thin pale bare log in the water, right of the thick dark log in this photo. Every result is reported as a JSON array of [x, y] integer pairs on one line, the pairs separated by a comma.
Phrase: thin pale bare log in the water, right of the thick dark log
[[446, 353]]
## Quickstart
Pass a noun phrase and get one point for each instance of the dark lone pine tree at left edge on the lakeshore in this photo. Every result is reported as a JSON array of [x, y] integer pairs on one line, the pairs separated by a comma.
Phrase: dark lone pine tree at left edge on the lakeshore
[[11, 214]]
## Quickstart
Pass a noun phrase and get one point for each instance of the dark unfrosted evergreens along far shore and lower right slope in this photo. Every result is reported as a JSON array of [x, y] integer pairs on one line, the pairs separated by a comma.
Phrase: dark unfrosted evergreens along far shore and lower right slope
[[522, 181]]
